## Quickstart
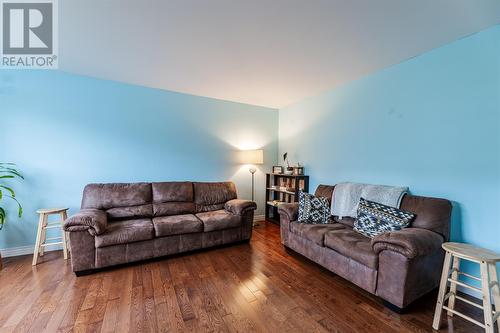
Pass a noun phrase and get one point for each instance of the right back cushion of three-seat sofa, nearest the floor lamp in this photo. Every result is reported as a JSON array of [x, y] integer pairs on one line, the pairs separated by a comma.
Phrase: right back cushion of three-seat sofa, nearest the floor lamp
[[213, 196]]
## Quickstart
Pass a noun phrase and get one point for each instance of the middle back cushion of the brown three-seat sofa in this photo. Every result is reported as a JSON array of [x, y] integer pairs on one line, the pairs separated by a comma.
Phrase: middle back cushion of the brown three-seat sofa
[[173, 198]]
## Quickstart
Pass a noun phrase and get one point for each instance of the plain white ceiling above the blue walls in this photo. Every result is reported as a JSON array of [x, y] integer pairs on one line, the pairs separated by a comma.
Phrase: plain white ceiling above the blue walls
[[262, 52]]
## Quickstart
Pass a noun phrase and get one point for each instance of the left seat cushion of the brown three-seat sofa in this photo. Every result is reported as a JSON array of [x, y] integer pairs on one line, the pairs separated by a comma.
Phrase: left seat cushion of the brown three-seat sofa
[[127, 231]]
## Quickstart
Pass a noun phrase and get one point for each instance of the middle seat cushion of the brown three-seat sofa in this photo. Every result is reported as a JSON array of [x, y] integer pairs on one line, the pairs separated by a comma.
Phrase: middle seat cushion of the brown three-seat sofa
[[176, 225]]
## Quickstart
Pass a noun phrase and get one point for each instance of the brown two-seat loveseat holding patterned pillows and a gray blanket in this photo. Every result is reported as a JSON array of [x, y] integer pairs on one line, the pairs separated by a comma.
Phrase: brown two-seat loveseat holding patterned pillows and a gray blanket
[[398, 266]]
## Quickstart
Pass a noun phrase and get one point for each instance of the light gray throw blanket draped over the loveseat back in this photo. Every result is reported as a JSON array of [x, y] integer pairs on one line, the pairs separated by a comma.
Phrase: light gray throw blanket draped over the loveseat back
[[345, 197]]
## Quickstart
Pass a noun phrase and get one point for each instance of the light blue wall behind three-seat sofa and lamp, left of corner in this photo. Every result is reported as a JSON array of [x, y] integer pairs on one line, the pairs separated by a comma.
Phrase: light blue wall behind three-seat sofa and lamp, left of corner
[[65, 131]]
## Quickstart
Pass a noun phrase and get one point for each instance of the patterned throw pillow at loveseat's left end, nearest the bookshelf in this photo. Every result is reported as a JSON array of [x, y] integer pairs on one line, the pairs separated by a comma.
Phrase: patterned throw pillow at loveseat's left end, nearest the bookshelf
[[313, 210]]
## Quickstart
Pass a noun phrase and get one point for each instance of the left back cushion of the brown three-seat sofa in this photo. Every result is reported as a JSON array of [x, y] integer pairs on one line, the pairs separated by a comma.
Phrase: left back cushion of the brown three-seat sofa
[[119, 200]]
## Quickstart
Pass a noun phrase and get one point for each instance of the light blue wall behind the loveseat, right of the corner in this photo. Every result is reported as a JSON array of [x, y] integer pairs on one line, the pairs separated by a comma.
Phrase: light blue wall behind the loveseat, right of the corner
[[432, 123]]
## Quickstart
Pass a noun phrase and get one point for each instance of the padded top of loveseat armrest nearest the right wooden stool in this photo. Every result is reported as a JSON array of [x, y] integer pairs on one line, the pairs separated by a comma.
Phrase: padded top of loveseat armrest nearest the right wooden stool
[[410, 242]]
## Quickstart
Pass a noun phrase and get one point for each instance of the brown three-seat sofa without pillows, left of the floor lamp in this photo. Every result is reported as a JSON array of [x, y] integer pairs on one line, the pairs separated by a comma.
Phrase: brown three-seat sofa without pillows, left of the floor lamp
[[122, 223]]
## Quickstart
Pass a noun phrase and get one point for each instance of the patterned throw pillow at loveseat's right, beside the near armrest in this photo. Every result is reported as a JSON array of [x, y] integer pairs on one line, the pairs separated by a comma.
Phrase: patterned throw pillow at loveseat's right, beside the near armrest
[[374, 218]]
